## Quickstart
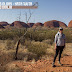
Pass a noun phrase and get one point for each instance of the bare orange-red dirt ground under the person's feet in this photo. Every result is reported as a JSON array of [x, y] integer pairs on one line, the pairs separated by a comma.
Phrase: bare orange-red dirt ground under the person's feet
[[46, 65]]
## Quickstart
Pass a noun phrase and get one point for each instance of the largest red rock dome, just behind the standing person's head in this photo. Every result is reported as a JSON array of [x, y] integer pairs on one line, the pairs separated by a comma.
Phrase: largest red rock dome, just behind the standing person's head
[[54, 23]]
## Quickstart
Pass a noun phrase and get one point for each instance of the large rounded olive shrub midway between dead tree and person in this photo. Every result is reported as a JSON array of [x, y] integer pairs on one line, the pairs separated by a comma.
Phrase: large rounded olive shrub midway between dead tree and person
[[37, 48]]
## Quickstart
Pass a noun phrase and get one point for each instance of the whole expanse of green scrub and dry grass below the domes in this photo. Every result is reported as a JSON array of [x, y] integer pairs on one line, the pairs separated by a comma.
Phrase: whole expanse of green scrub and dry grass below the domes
[[37, 44]]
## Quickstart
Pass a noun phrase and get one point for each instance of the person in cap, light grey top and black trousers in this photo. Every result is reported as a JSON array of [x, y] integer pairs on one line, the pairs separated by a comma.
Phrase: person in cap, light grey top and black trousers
[[59, 45]]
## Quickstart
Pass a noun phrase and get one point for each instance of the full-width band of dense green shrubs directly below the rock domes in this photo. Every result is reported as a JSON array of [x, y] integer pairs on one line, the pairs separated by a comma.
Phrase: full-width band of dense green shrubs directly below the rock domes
[[35, 34]]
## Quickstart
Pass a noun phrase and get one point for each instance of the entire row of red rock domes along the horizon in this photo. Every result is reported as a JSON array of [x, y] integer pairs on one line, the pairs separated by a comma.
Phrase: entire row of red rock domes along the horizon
[[50, 24]]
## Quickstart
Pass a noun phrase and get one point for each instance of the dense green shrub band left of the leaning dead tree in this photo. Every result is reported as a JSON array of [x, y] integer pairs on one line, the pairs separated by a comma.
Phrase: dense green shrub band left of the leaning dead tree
[[10, 34]]
